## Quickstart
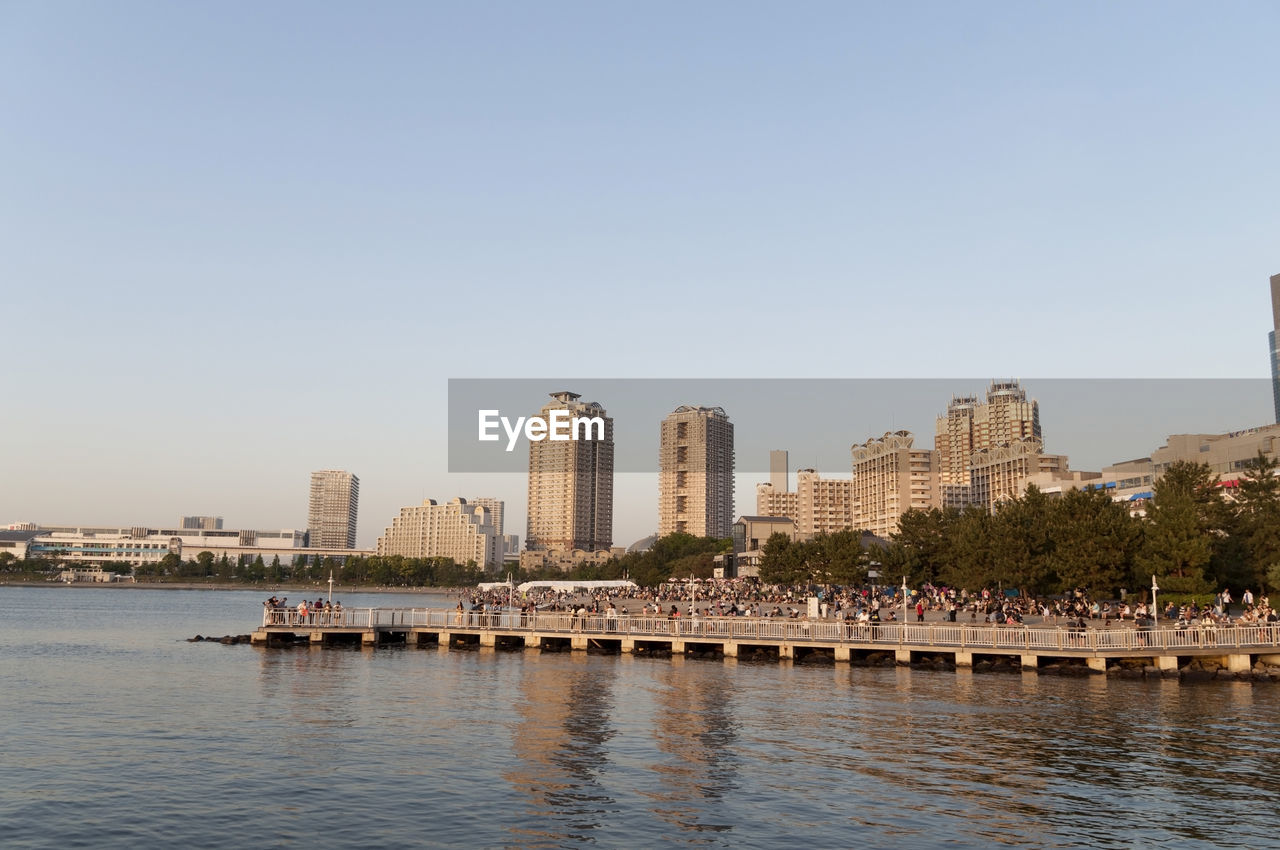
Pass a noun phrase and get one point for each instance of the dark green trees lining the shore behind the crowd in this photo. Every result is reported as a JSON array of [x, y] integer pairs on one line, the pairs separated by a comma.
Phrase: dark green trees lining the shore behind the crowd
[[1194, 536]]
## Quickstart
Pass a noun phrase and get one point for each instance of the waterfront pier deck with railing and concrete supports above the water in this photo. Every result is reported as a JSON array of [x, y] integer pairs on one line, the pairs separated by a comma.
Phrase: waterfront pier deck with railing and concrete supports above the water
[[1236, 648]]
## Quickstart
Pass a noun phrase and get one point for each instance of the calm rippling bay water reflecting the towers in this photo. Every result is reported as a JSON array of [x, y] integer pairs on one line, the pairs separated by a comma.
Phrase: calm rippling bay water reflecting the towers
[[117, 732]]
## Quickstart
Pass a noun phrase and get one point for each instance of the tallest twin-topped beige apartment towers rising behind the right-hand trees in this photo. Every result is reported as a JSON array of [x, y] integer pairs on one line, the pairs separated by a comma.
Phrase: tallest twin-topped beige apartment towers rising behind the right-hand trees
[[971, 427]]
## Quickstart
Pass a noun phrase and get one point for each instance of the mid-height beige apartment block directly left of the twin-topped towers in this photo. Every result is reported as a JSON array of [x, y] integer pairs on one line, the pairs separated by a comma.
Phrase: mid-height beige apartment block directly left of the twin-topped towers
[[892, 478]]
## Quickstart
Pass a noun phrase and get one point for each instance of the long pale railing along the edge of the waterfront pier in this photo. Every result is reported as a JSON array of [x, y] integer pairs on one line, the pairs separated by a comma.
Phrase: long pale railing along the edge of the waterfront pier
[[822, 632]]
